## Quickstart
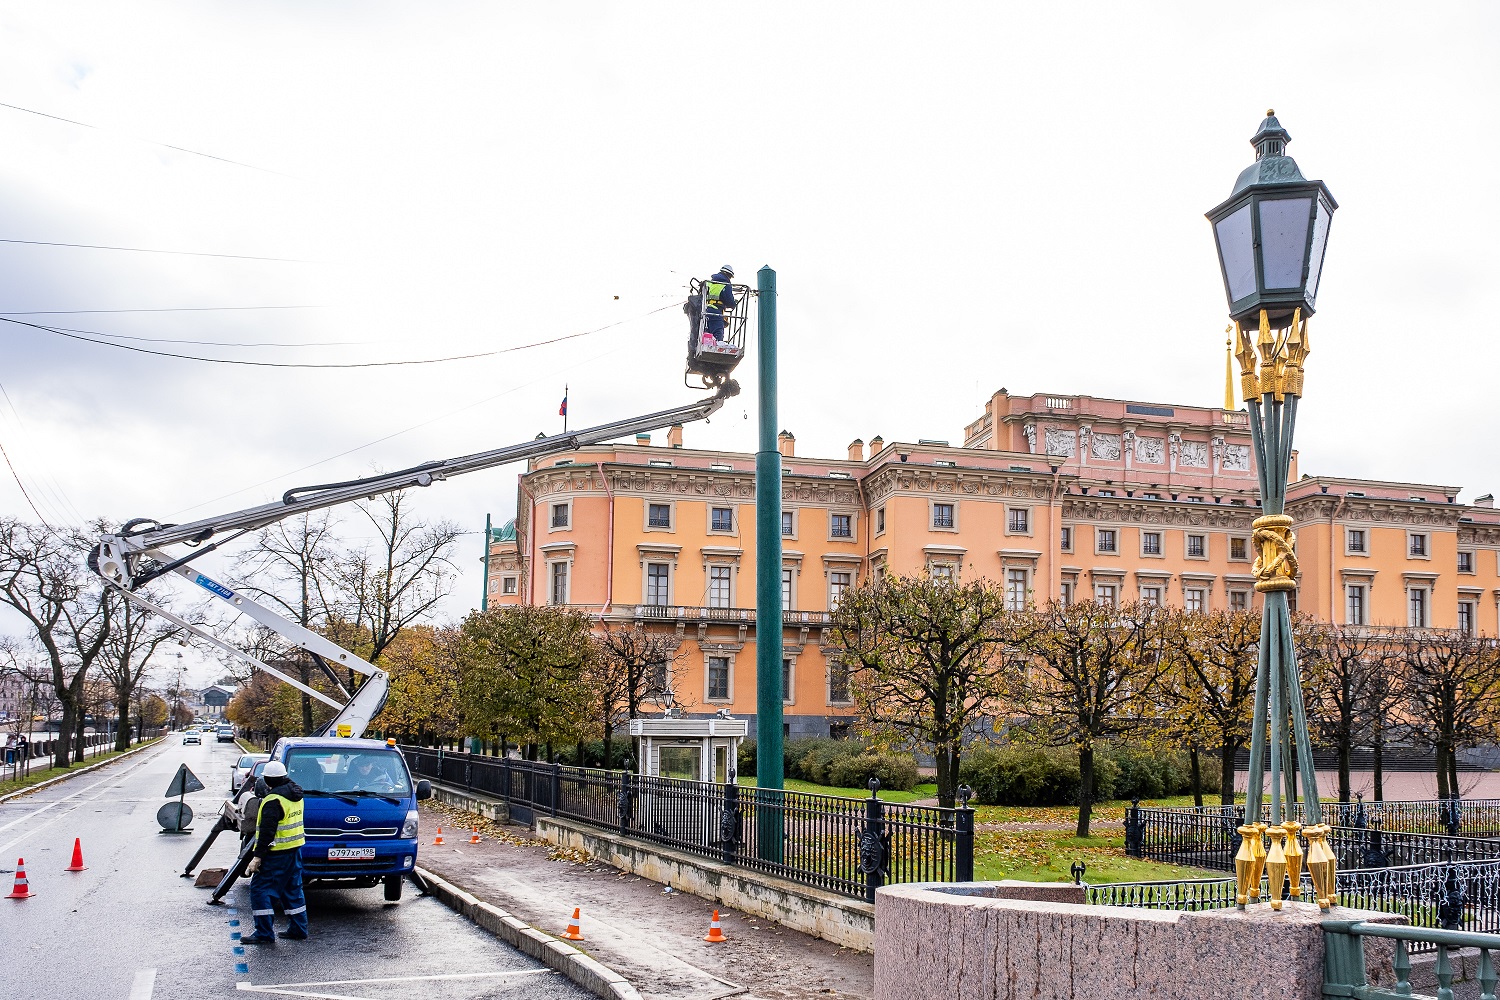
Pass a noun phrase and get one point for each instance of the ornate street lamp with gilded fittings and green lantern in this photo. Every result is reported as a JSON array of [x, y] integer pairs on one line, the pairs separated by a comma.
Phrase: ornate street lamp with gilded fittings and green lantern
[[1271, 238]]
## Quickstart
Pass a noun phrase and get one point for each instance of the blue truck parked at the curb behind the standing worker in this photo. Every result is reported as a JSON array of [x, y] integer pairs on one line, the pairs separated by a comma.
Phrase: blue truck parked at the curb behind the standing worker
[[359, 810]]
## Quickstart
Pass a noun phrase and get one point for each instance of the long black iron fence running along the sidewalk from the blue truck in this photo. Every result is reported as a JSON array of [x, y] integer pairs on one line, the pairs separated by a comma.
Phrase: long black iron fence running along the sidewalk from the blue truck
[[841, 845]]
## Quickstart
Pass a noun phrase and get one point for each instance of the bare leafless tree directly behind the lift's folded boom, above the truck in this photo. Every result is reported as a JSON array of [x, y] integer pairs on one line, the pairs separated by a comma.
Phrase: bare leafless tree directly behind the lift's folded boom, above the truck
[[293, 569]]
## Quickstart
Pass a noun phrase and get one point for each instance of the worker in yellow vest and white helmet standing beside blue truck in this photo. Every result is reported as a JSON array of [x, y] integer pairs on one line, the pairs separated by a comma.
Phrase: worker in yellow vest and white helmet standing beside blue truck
[[277, 867]]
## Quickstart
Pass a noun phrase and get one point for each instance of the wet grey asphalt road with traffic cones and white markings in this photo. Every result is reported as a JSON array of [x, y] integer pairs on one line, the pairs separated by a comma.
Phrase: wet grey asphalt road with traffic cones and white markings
[[130, 927]]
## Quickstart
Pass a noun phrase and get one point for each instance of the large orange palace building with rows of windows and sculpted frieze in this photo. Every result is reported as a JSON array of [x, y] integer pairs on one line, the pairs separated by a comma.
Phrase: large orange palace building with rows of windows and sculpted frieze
[[1054, 497]]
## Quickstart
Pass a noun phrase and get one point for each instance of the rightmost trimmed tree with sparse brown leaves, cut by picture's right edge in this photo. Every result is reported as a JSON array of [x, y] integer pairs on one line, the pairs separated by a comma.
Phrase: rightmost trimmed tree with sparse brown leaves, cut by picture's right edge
[[1453, 687]]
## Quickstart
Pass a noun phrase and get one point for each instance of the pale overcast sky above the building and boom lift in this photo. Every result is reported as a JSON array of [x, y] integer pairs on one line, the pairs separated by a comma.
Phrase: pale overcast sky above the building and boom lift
[[956, 199]]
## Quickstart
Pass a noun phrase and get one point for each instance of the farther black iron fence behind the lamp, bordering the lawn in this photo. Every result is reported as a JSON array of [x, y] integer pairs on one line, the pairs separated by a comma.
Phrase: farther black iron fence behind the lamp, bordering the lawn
[[1208, 839]]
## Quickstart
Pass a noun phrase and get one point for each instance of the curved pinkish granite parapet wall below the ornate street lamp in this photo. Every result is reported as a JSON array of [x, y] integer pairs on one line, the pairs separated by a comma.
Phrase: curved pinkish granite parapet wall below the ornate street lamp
[[938, 942]]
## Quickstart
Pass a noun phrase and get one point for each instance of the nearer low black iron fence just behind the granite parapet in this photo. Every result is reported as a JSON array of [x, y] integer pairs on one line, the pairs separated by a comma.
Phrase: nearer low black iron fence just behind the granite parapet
[[1456, 897]]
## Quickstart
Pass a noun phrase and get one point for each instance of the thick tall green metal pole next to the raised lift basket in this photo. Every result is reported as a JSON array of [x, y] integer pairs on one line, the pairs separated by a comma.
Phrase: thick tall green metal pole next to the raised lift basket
[[769, 579]]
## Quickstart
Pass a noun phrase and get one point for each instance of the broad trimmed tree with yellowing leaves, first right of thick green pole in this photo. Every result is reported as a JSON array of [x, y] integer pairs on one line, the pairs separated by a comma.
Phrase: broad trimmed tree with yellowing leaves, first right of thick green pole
[[928, 662]]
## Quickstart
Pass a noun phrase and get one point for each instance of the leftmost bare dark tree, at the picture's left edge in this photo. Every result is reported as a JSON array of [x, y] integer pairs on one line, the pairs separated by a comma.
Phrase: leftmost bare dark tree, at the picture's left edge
[[70, 611]]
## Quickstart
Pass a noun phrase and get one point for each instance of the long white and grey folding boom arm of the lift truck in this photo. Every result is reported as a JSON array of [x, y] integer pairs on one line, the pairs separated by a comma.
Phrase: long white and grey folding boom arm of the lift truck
[[142, 551]]
